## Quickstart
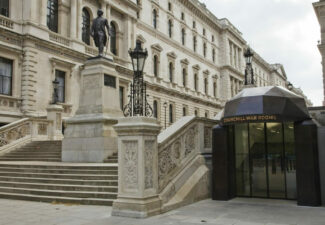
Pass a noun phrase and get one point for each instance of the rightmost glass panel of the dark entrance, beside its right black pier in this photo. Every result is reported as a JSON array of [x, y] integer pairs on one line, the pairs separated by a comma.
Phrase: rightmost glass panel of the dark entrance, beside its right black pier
[[290, 160]]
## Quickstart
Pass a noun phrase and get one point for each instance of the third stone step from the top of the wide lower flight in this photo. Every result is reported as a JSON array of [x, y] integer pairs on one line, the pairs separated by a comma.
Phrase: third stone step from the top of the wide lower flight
[[60, 181]]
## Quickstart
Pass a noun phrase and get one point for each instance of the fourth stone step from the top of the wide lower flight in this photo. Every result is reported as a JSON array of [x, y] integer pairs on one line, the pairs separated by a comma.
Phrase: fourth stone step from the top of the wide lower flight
[[60, 187]]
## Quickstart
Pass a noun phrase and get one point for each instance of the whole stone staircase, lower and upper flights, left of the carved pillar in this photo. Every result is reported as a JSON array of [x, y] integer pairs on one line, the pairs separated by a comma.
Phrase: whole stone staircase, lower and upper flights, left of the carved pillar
[[31, 173]]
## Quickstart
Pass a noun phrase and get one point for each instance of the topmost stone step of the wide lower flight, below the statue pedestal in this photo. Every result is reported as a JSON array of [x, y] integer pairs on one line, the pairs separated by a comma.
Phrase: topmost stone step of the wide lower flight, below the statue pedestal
[[59, 165]]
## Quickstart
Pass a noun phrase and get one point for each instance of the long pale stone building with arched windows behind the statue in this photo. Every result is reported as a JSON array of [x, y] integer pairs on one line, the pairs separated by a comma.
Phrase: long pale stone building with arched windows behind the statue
[[195, 60]]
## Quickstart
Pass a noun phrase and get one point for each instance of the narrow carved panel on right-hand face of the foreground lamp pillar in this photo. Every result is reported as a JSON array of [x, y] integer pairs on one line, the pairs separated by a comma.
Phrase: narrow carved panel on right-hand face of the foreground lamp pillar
[[149, 156]]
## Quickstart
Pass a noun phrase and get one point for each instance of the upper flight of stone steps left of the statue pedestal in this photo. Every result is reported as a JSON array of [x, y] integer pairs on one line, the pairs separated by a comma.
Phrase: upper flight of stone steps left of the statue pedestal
[[44, 151]]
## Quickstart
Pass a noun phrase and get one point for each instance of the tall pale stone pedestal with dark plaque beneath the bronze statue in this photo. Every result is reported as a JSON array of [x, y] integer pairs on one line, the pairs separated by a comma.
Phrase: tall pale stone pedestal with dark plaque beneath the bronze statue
[[89, 135]]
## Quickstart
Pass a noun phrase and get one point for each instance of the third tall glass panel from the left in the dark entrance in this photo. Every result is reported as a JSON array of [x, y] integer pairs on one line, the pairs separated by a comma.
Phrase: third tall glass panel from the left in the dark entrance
[[275, 160]]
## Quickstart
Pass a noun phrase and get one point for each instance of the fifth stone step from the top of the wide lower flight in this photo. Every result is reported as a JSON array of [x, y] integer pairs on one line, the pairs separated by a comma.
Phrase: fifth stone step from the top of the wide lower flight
[[72, 194]]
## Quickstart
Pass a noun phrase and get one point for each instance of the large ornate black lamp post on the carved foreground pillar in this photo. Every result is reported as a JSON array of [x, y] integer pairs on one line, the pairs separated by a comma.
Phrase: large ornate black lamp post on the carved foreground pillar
[[138, 104]]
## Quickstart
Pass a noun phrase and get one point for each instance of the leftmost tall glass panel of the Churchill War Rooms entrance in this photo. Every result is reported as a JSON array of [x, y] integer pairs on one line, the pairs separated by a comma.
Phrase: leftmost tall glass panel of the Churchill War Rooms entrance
[[242, 160]]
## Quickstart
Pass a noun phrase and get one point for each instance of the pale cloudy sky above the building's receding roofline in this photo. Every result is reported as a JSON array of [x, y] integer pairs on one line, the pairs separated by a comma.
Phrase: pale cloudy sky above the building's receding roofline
[[280, 31]]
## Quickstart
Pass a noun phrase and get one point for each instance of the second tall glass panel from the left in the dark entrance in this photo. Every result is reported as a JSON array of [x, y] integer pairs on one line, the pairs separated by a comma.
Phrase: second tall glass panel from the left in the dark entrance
[[258, 165]]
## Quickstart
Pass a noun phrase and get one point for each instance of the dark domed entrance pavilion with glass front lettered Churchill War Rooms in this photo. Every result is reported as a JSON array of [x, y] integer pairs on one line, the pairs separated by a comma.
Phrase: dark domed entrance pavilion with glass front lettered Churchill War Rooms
[[265, 148]]
